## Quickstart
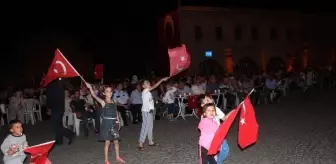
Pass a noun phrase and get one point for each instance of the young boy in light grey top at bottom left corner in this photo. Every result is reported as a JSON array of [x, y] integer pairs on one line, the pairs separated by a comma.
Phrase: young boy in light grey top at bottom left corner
[[13, 145]]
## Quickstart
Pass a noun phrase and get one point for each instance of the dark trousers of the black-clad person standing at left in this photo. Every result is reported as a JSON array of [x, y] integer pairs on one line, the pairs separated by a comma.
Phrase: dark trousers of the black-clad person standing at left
[[59, 130]]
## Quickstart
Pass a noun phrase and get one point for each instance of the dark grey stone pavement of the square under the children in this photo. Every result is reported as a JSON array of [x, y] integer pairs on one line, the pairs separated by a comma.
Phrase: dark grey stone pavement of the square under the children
[[293, 131]]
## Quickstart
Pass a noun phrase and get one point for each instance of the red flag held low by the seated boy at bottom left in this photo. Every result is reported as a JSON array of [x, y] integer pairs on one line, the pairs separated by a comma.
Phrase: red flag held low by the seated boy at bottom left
[[39, 153]]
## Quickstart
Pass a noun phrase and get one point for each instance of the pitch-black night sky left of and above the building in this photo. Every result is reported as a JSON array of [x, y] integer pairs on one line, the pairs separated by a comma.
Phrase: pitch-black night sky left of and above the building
[[112, 34]]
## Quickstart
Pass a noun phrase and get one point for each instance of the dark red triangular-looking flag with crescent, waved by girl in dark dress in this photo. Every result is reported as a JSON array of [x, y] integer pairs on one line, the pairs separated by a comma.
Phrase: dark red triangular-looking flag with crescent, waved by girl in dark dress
[[59, 68]]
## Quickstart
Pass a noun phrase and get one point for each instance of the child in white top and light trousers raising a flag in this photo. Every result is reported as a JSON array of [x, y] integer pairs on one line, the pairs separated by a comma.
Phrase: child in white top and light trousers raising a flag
[[147, 113]]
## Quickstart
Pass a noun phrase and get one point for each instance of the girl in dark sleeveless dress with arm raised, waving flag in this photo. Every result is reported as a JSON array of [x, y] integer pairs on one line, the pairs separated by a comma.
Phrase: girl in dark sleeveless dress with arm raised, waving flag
[[109, 129]]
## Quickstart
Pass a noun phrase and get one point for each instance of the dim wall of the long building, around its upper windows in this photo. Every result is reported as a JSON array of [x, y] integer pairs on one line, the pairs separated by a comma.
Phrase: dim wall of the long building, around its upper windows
[[247, 19]]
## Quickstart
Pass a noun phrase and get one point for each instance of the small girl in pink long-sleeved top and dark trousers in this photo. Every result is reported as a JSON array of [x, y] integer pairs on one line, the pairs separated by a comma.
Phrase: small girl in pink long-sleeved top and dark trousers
[[208, 127]]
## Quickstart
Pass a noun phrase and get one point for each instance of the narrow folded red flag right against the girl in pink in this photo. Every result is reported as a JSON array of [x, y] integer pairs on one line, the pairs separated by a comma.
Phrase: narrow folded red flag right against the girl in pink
[[222, 132]]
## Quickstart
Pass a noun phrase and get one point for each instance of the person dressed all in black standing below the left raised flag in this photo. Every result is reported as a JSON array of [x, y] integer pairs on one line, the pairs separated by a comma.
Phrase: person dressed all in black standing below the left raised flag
[[55, 104]]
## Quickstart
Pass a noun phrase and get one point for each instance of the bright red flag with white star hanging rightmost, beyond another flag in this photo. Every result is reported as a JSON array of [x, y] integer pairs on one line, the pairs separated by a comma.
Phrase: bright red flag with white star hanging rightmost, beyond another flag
[[248, 126]]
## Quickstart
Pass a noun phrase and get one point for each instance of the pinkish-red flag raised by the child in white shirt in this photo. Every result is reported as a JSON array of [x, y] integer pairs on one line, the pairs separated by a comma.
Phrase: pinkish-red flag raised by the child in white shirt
[[179, 59]]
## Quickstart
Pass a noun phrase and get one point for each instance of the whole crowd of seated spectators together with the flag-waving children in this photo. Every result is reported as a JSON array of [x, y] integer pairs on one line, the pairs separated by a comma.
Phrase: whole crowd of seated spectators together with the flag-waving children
[[141, 101]]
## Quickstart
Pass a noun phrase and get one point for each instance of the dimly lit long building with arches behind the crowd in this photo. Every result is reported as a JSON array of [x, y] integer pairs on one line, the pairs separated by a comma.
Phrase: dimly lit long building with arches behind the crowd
[[229, 35]]
